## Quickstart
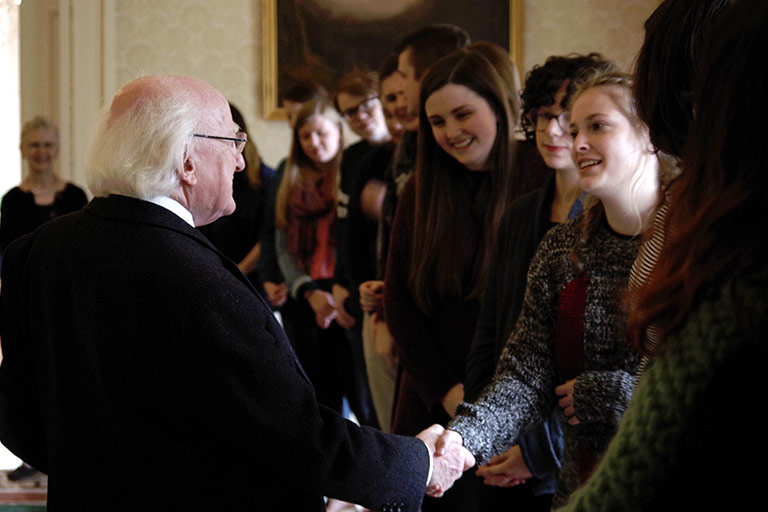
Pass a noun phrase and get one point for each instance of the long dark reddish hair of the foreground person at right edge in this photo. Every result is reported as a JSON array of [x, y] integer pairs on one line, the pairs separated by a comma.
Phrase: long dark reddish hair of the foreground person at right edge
[[716, 225]]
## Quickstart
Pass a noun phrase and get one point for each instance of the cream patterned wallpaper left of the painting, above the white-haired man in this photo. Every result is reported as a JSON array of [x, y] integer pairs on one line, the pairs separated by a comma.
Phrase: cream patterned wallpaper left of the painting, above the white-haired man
[[219, 42]]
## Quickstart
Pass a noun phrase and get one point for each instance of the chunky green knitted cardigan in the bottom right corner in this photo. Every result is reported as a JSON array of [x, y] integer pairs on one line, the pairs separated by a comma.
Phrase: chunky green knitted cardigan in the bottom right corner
[[692, 436]]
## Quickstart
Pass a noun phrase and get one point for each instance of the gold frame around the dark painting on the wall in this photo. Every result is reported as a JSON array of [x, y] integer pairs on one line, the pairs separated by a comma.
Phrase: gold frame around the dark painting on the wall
[[270, 66]]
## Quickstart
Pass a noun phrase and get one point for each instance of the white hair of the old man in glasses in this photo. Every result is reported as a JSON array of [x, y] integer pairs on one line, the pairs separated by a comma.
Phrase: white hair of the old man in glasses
[[138, 153]]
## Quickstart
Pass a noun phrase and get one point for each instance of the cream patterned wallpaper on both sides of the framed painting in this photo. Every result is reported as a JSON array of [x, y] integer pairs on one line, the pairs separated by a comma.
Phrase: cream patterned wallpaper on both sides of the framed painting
[[220, 42]]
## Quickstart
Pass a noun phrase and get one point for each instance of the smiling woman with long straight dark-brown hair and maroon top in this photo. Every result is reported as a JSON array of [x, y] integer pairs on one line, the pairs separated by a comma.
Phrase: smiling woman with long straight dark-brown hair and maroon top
[[446, 222]]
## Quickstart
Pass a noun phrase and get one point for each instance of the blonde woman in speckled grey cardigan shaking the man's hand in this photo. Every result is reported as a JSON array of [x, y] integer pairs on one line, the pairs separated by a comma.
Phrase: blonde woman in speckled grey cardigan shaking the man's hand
[[569, 346]]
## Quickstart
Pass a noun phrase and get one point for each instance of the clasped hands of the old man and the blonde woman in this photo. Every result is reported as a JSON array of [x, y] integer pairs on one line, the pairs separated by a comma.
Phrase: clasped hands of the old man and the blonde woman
[[449, 459]]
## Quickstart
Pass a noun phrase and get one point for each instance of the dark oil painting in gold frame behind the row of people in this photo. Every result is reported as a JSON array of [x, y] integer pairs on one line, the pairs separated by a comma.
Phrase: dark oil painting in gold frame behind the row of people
[[321, 40]]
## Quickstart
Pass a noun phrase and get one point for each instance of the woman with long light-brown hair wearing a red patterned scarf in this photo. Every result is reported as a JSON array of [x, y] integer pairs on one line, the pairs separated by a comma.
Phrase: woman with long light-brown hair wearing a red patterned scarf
[[305, 244]]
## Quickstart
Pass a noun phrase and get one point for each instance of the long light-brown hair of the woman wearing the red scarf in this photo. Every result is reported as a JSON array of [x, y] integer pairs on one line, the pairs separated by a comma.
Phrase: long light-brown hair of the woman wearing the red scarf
[[298, 162]]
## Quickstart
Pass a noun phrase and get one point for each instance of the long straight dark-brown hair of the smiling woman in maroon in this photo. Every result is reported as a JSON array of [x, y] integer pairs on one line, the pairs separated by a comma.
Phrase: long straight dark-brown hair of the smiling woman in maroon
[[444, 223]]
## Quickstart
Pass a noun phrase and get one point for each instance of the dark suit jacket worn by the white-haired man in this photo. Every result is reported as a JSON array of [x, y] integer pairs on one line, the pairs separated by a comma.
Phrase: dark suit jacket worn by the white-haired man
[[143, 371]]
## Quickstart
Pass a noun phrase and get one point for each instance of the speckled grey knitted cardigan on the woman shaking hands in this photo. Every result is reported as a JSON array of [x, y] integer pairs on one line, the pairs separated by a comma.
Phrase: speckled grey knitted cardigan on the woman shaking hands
[[521, 393]]
